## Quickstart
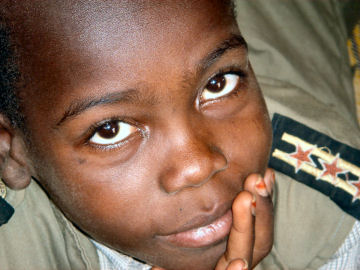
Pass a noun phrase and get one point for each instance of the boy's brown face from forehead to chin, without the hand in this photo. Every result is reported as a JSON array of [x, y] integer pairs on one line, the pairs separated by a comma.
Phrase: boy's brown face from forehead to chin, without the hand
[[145, 118]]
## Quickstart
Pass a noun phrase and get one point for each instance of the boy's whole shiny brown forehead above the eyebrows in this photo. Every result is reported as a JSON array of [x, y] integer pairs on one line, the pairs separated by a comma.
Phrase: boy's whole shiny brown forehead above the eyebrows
[[69, 44]]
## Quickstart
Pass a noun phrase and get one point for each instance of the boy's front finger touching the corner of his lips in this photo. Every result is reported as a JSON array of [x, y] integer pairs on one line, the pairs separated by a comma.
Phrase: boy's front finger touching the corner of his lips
[[241, 238]]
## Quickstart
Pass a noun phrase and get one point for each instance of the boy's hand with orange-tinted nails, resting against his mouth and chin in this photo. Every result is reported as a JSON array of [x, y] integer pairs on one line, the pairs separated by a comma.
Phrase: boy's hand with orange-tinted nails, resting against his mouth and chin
[[251, 237]]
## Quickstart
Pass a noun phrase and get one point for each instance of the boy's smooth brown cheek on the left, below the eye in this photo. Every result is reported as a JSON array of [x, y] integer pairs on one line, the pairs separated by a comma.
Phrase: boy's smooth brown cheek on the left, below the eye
[[104, 202]]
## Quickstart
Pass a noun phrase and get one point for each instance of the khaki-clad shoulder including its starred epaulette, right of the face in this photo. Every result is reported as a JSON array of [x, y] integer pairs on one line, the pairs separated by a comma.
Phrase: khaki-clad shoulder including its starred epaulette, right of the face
[[305, 76]]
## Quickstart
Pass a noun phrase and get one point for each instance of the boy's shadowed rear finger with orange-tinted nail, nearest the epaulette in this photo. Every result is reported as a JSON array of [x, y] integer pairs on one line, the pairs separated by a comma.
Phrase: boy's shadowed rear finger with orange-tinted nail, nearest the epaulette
[[264, 222]]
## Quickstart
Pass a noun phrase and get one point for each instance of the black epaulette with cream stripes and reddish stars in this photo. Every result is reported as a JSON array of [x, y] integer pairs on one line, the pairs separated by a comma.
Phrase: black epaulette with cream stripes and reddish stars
[[318, 161]]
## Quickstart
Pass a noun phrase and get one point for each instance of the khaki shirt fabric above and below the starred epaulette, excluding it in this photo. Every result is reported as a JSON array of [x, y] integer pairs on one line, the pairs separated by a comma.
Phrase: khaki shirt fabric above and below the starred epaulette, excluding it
[[298, 51]]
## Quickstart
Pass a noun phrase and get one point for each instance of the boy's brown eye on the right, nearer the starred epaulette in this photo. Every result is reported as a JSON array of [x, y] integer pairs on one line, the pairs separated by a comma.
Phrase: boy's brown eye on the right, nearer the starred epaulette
[[219, 86]]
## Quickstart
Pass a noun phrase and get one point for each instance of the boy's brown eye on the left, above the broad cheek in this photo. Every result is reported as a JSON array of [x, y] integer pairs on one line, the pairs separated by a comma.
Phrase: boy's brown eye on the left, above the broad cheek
[[112, 132]]
